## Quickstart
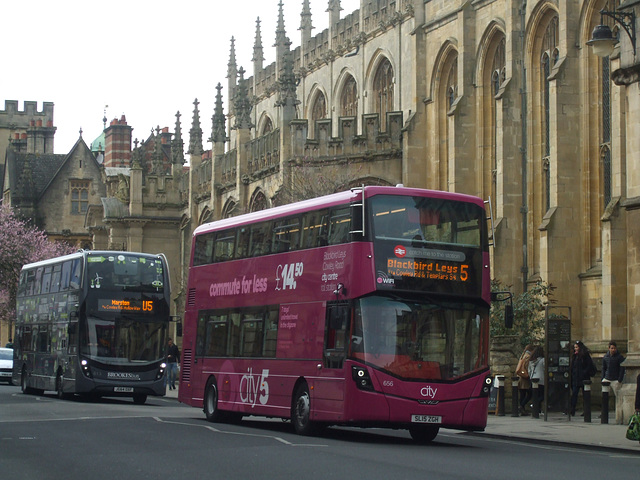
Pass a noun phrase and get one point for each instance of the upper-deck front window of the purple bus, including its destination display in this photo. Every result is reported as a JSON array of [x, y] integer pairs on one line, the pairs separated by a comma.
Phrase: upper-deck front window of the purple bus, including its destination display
[[428, 244]]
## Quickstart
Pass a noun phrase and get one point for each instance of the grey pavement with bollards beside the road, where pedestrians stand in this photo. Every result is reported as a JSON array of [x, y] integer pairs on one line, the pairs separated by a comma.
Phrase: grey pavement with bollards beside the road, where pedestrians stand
[[558, 429]]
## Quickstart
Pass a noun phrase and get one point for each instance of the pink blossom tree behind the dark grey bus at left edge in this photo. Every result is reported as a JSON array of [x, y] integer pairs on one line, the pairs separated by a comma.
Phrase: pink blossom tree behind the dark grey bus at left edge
[[20, 243]]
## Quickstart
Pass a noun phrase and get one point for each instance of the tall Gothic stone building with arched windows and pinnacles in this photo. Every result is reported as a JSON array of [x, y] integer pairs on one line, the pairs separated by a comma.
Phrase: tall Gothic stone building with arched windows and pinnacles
[[502, 99]]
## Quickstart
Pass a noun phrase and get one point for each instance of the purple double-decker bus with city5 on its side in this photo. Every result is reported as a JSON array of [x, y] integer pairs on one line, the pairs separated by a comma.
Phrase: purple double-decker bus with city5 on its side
[[366, 308]]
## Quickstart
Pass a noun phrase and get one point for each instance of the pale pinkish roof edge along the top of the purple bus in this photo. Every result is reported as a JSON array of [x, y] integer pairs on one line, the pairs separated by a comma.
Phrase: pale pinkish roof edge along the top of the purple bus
[[329, 201]]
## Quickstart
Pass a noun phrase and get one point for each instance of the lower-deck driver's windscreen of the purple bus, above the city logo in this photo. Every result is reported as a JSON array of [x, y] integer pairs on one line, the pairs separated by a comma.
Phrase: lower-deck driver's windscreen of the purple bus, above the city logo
[[418, 339]]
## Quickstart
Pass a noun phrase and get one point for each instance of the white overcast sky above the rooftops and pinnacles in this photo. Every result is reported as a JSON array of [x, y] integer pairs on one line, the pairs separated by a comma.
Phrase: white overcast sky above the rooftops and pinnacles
[[146, 59]]
